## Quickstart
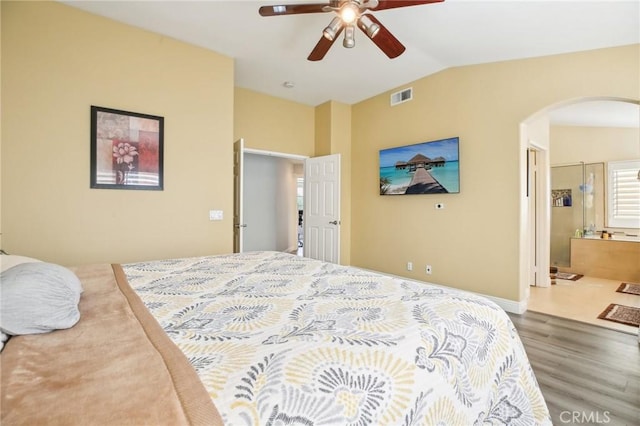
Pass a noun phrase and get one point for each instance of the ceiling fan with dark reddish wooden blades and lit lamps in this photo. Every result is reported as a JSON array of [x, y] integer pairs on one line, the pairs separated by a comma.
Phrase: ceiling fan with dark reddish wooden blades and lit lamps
[[350, 13]]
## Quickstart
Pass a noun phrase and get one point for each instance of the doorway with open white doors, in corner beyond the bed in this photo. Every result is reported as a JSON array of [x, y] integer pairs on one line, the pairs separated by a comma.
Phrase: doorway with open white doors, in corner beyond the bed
[[269, 189]]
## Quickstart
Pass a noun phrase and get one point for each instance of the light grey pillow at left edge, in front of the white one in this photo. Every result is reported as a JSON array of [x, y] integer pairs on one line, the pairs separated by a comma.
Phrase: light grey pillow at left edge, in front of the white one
[[38, 297]]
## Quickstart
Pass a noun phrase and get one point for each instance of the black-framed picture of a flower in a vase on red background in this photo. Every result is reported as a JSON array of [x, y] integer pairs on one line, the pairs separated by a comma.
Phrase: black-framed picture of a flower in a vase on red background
[[126, 149]]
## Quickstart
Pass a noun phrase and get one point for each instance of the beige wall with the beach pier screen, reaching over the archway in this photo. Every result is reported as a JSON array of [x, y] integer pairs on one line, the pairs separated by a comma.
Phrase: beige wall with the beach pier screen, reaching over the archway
[[473, 243]]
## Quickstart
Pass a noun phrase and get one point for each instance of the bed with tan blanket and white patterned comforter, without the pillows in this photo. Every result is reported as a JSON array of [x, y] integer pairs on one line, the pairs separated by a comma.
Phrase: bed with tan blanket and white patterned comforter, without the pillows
[[280, 339]]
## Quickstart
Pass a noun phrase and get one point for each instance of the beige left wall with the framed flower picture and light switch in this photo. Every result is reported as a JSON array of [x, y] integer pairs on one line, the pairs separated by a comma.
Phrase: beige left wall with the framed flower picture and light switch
[[57, 62]]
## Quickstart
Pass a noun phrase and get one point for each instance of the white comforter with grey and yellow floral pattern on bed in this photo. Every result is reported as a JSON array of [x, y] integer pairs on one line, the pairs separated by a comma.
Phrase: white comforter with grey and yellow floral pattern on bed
[[280, 339]]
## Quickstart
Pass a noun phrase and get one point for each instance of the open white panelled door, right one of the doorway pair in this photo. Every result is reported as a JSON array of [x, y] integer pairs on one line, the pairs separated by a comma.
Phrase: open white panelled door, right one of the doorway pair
[[322, 208]]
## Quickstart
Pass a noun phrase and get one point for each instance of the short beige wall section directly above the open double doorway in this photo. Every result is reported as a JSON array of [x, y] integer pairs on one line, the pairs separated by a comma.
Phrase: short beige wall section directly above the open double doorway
[[272, 124]]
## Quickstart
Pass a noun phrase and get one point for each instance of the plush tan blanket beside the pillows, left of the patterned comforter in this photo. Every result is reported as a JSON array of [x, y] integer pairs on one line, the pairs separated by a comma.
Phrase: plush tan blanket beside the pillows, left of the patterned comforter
[[116, 366]]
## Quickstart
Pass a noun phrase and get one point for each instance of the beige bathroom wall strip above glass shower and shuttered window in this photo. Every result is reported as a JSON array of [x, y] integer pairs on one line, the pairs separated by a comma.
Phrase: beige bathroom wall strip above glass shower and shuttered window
[[571, 144]]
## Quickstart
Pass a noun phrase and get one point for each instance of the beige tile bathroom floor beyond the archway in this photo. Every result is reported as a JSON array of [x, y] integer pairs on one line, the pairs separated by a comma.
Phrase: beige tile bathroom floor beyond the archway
[[582, 300]]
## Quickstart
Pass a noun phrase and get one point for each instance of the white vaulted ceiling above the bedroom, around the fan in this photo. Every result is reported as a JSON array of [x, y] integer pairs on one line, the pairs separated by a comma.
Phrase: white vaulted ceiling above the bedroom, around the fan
[[269, 51]]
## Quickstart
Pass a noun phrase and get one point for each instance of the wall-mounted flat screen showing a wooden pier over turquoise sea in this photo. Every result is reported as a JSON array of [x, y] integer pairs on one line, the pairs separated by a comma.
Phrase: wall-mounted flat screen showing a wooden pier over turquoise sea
[[423, 168]]
